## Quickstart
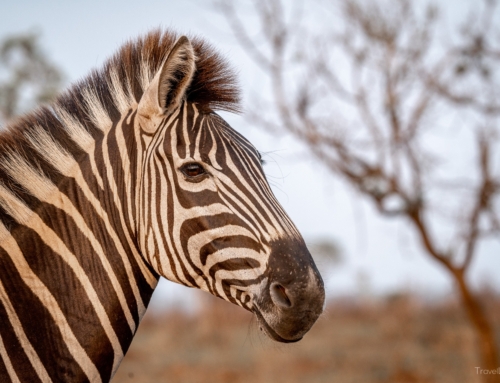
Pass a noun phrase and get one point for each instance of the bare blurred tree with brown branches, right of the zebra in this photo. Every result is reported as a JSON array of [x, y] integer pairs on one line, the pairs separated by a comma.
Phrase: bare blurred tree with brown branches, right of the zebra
[[399, 109]]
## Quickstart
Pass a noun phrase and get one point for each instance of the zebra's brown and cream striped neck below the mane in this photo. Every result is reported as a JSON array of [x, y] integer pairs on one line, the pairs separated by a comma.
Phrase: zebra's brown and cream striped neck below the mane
[[68, 239]]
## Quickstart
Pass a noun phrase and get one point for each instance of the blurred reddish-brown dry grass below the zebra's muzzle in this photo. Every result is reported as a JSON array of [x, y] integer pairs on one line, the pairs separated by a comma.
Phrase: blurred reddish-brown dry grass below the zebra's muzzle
[[395, 340]]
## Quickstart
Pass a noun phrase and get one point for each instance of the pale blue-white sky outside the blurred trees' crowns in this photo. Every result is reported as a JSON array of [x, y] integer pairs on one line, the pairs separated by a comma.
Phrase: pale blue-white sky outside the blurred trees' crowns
[[79, 36]]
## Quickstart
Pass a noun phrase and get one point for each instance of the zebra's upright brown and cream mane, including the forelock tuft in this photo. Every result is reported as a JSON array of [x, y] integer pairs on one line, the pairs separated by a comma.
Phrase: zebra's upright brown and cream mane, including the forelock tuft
[[56, 133]]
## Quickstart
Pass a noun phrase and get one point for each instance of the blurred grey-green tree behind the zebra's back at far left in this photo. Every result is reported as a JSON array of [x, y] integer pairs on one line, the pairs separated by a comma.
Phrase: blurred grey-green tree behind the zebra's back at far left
[[27, 77]]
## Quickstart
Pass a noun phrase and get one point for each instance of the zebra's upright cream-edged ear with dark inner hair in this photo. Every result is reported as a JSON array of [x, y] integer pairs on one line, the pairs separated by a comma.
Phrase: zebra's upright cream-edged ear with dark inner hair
[[166, 91]]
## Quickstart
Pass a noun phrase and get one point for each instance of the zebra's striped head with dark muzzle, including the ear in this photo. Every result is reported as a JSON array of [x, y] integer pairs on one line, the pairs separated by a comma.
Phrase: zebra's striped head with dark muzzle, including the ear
[[207, 217]]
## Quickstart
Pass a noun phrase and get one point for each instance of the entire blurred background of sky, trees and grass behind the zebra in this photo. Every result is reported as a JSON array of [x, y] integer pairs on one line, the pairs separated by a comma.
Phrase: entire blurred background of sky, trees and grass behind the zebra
[[379, 125]]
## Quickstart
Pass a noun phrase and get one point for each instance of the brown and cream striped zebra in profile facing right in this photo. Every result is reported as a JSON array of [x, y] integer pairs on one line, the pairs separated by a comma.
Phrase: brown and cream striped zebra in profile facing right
[[127, 176]]
